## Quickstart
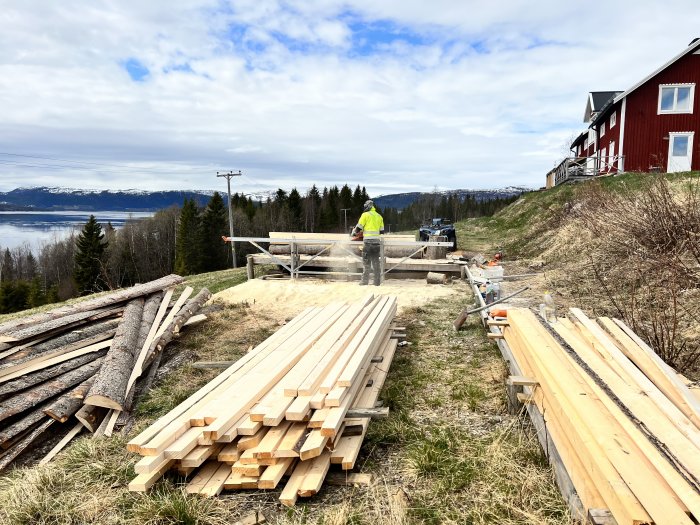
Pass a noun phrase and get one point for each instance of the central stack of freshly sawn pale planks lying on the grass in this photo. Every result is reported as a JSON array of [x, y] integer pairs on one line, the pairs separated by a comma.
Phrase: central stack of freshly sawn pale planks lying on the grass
[[297, 403]]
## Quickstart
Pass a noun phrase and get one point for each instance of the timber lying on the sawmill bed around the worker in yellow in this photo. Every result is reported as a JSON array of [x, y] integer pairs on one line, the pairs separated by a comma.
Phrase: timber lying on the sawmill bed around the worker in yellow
[[284, 247]]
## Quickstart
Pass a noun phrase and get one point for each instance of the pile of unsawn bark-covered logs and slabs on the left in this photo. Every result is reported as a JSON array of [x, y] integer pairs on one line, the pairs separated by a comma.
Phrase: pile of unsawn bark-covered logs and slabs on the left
[[82, 361]]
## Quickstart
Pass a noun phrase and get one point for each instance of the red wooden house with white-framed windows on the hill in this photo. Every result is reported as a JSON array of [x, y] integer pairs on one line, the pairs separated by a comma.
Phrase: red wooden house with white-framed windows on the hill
[[652, 126]]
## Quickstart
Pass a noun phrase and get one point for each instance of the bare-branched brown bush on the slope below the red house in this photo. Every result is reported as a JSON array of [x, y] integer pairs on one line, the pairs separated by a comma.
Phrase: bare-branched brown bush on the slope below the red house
[[644, 254]]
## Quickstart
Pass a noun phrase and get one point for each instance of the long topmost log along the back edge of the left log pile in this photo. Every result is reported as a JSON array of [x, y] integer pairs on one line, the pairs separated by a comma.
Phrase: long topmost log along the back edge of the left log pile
[[114, 298]]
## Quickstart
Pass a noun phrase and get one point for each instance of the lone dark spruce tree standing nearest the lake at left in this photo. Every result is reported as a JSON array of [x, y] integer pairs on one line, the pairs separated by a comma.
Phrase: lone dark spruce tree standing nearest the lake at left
[[89, 258]]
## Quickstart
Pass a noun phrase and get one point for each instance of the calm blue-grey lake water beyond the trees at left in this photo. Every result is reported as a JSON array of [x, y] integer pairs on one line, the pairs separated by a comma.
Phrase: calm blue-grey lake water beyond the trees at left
[[41, 227]]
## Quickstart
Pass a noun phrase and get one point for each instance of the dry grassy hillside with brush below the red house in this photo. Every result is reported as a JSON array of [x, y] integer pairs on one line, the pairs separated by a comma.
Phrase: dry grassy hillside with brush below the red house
[[626, 246]]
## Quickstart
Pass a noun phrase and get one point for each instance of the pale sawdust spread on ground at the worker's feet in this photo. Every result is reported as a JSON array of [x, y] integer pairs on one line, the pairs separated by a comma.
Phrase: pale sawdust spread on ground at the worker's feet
[[287, 298]]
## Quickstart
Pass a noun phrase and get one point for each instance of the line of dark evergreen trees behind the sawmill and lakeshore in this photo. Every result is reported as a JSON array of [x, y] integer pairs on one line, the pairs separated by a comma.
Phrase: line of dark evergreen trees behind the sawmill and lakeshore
[[187, 240]]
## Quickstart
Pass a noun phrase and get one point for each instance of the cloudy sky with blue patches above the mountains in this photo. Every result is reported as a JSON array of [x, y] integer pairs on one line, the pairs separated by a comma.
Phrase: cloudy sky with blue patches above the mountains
[[394, 95]]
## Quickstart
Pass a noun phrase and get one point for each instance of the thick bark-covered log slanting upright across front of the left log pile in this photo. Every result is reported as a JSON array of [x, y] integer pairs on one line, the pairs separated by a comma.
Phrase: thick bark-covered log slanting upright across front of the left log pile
[[109, 388]]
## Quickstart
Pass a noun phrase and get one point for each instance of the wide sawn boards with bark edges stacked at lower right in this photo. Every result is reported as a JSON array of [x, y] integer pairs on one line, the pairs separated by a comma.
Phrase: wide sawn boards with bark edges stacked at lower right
[[625, 425]]
